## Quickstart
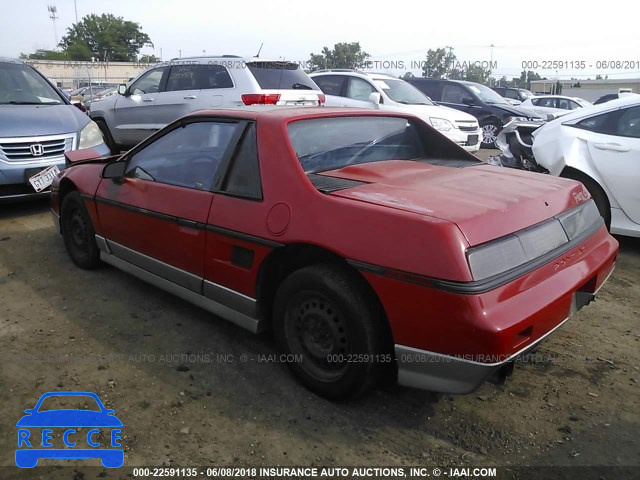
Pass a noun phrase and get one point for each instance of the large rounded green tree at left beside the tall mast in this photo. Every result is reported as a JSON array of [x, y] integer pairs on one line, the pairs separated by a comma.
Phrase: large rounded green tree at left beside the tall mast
[[104, 37]]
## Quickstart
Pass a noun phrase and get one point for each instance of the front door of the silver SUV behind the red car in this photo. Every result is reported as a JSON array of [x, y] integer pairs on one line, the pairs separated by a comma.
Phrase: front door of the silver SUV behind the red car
[[136, 112]]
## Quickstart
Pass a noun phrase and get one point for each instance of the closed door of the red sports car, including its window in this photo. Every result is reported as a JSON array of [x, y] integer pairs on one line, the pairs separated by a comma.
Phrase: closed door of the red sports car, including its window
[[155, 217]]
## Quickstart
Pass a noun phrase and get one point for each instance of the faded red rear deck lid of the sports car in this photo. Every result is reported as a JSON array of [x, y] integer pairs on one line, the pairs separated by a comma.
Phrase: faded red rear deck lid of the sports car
[[486, 202]]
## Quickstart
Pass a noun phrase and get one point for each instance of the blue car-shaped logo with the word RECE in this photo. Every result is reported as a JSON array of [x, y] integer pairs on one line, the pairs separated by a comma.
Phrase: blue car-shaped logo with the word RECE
[[36, 431]]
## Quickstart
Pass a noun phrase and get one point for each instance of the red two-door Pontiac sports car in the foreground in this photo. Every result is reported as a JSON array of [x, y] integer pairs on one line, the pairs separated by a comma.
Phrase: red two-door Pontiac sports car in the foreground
[[369, 243]]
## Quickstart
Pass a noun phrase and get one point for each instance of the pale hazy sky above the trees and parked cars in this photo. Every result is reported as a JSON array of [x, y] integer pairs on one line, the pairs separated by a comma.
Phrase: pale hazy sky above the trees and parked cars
[[585, 37]]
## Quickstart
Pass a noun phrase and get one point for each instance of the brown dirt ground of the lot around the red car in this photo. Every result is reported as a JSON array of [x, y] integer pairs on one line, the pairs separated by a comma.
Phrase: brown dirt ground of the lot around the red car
[[576, 403]]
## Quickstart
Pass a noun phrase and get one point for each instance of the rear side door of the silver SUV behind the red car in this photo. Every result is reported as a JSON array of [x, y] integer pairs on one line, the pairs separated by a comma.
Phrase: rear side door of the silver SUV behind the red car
[[180, 96]]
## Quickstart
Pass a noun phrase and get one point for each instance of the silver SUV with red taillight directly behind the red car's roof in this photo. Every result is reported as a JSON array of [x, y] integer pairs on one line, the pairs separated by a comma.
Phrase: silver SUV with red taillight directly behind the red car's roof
[[171, 90]]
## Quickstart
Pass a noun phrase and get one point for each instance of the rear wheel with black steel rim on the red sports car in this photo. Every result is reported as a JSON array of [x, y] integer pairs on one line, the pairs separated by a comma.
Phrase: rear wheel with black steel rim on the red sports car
[[325, 314]]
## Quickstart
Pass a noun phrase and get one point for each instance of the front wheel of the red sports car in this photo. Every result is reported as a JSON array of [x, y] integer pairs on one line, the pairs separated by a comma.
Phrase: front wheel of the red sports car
[[78, 233]]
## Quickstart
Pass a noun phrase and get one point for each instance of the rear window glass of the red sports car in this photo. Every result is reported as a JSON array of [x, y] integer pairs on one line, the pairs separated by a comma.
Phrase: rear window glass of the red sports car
[[332, 143]]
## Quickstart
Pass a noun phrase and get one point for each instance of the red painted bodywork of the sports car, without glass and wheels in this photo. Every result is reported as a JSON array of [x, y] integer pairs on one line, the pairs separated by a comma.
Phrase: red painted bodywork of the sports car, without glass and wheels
[[411, 217]]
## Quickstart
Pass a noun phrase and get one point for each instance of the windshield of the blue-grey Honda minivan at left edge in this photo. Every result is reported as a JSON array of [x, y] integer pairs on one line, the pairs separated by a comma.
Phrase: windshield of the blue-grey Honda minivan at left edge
[[22, 85]]
